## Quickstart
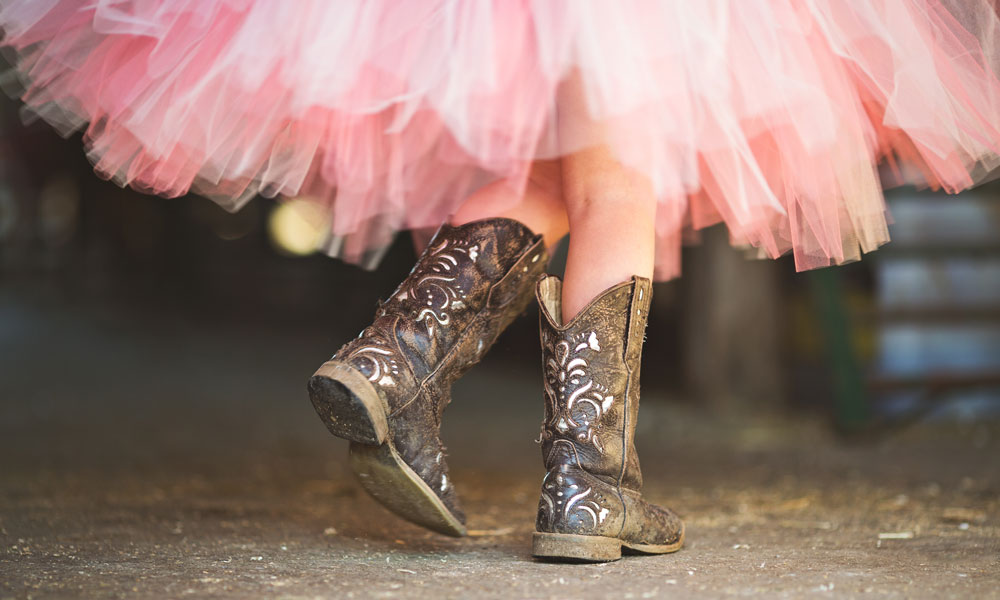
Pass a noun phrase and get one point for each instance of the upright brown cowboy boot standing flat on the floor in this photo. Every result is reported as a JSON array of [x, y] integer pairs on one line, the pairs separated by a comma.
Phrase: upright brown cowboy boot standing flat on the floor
[[591, 506]]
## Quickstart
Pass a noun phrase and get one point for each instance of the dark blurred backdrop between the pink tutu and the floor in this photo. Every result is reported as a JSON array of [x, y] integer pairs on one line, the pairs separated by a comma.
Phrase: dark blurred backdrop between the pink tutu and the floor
[[912, 332]]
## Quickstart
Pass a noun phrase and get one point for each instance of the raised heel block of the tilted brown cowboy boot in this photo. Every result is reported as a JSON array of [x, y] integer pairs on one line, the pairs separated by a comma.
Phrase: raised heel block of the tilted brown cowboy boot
[[348, 403]]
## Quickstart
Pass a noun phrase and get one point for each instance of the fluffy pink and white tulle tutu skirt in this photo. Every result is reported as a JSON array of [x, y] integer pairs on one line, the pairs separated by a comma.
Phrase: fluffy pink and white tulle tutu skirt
[[772, 116]]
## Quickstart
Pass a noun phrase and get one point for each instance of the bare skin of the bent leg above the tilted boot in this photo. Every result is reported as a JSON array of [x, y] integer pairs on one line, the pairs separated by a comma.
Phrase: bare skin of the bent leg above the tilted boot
[[540, 208]]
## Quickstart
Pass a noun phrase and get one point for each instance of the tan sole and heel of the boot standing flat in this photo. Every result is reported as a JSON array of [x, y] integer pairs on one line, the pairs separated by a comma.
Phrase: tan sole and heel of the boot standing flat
[[592, 548]]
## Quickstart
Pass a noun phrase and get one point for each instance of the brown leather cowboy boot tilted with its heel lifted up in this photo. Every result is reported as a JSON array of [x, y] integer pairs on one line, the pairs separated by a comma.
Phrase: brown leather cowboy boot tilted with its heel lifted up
[[386, 390]]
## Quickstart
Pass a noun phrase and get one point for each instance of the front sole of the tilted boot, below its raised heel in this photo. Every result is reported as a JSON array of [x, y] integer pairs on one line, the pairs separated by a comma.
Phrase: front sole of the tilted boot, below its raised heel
[[384, 475]]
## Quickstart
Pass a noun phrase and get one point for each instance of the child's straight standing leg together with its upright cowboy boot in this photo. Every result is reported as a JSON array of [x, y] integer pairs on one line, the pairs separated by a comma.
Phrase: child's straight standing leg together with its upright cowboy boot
[[591, 355]]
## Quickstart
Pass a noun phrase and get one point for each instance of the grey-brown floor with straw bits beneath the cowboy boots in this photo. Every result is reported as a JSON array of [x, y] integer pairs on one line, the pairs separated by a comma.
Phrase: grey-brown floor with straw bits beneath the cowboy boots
[[155, 457]]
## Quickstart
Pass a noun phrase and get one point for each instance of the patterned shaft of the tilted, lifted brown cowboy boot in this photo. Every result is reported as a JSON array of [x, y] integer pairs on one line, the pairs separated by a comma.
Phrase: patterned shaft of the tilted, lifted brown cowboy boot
[[469, 283]]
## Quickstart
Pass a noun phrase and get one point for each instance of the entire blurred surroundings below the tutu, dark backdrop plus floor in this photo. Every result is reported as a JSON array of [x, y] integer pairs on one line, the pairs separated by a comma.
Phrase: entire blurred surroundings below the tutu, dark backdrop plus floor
[[831, 428]]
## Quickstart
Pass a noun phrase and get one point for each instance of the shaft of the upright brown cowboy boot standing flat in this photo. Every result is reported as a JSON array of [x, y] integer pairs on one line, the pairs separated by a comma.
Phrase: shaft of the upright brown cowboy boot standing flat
[[591, 380]]
